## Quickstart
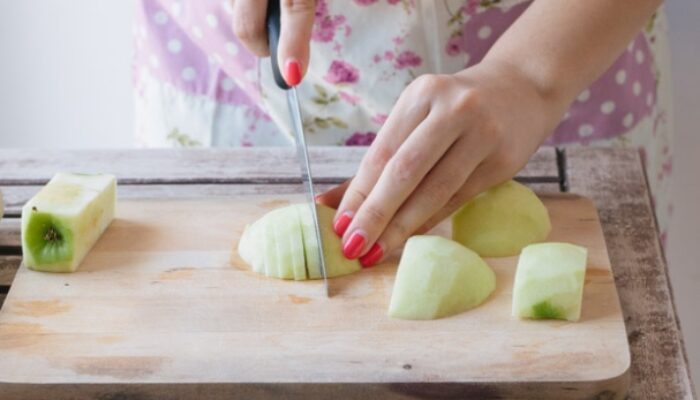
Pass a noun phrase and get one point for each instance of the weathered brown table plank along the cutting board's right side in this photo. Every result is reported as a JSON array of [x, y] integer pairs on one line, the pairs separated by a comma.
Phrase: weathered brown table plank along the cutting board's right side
[[615, 179]]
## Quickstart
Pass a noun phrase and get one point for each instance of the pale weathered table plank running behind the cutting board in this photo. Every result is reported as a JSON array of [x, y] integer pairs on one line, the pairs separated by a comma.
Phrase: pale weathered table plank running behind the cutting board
[[191, 166]]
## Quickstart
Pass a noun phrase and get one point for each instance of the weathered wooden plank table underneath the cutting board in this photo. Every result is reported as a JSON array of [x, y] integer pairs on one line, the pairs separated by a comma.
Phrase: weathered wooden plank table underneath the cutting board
[[612, 177]]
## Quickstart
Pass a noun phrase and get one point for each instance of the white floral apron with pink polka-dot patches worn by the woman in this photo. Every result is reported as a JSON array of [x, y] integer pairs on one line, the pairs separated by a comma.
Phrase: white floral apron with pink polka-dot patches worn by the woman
[[196, 85]]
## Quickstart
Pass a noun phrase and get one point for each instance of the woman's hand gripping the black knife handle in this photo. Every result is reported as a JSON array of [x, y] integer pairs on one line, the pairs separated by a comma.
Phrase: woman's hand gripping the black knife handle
[[296, 25]]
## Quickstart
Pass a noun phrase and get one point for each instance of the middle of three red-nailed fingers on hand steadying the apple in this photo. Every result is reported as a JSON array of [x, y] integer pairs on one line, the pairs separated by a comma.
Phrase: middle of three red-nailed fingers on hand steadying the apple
[[398, 180]]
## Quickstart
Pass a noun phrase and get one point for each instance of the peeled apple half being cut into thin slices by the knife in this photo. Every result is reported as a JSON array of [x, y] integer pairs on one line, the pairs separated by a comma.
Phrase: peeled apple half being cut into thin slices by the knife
[[282, 244]]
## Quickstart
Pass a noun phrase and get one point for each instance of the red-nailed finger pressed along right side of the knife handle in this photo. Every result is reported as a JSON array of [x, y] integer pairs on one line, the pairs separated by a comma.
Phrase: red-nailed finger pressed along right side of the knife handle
[[296, 25]]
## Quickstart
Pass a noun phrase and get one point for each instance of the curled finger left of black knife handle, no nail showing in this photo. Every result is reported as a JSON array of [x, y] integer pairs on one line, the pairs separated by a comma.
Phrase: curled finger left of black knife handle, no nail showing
[[249, 25]]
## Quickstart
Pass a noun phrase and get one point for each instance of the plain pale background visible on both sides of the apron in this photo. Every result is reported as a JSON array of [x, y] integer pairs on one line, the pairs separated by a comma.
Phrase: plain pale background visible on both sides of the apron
[[65, 81]]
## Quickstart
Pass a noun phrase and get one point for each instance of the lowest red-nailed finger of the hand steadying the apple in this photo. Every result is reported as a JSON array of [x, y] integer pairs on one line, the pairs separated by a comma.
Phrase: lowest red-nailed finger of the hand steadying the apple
[[433, 193]]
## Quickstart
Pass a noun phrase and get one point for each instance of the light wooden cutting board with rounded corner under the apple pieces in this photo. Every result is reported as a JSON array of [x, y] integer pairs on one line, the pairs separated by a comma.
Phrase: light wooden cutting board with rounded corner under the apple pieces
[[161, 300]]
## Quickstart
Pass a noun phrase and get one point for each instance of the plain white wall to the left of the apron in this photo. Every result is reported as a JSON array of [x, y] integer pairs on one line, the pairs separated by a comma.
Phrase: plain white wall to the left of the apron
[[65, 73]]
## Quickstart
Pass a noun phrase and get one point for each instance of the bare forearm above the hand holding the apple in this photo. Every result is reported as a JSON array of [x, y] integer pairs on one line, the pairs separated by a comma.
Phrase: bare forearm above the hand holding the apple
[[562, 46]]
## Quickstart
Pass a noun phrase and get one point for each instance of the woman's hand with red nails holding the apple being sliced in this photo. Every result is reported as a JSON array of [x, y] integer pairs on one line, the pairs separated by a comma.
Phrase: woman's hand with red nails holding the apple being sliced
[[448, 138]]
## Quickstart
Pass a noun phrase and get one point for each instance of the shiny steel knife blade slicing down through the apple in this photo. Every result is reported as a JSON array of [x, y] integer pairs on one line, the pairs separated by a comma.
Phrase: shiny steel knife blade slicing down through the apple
[[303, 155]]
